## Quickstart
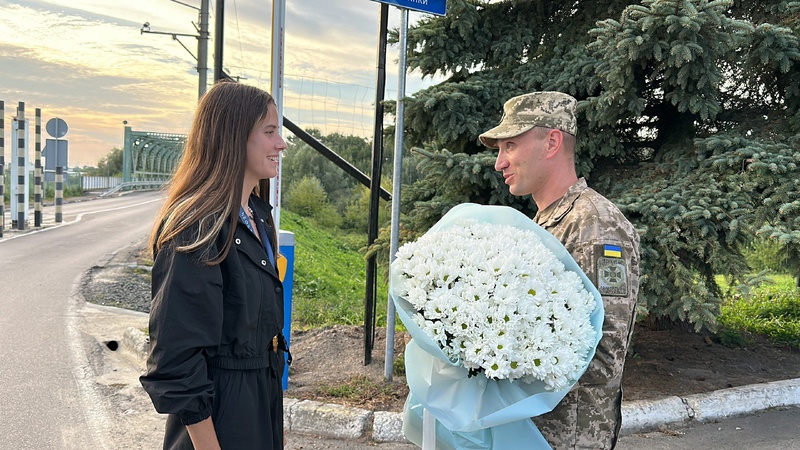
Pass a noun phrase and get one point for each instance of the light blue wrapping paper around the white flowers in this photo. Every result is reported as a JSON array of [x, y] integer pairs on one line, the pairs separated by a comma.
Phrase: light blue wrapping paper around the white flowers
[[476, 412]]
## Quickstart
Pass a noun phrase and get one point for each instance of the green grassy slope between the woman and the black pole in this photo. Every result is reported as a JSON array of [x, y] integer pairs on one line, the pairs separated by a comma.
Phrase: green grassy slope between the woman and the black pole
[[329, 275]]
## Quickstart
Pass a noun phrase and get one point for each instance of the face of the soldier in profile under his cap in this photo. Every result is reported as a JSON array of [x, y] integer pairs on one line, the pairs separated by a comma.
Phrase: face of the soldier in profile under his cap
[[521, 159]]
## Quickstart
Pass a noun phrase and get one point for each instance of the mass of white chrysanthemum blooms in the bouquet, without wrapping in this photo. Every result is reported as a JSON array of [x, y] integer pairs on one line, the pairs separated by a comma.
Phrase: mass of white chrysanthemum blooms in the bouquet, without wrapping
[[497, 300]]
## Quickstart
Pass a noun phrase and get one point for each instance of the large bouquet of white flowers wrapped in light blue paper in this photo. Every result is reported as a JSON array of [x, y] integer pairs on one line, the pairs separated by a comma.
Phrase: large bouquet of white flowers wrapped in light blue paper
[[503, 322]]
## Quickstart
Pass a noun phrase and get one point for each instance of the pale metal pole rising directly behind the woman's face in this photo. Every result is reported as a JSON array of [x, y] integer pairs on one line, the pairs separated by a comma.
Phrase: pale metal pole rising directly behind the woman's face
[[276, 89]]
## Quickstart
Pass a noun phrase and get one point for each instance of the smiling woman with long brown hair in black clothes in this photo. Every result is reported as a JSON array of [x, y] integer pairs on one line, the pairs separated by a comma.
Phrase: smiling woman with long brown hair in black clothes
[[216, 353]]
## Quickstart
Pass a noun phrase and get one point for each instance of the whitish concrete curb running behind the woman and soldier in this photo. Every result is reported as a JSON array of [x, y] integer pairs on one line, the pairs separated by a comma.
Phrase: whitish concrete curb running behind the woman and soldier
[[337, 421]]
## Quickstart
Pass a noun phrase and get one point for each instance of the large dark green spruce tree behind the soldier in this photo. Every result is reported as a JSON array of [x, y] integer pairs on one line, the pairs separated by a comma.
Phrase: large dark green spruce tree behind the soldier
[[689, 119]]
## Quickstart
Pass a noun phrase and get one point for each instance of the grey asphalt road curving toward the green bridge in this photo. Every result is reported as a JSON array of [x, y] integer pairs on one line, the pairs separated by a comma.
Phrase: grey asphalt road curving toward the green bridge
[[49, 397]]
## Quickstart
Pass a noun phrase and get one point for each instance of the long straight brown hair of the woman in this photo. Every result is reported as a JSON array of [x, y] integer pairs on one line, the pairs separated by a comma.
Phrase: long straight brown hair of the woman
[[206, 188]]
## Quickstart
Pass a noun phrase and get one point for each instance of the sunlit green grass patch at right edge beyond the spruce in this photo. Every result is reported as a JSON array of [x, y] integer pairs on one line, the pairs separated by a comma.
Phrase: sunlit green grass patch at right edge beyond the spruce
[[771, 310]]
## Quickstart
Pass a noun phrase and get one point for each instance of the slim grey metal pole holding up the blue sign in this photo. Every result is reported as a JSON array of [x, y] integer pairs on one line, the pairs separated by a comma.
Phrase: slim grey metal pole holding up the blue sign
[[396, 182]]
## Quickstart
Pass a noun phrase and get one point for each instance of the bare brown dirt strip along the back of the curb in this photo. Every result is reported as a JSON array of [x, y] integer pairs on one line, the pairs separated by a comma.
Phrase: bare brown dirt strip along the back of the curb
[[664, 362]]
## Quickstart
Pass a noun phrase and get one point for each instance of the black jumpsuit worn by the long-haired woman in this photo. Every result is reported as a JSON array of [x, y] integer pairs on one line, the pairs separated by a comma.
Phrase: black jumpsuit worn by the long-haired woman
[[211, 333]]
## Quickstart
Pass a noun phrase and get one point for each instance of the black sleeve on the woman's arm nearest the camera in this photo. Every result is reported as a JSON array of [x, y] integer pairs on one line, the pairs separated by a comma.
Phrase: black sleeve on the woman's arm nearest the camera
[[185, 330]]
